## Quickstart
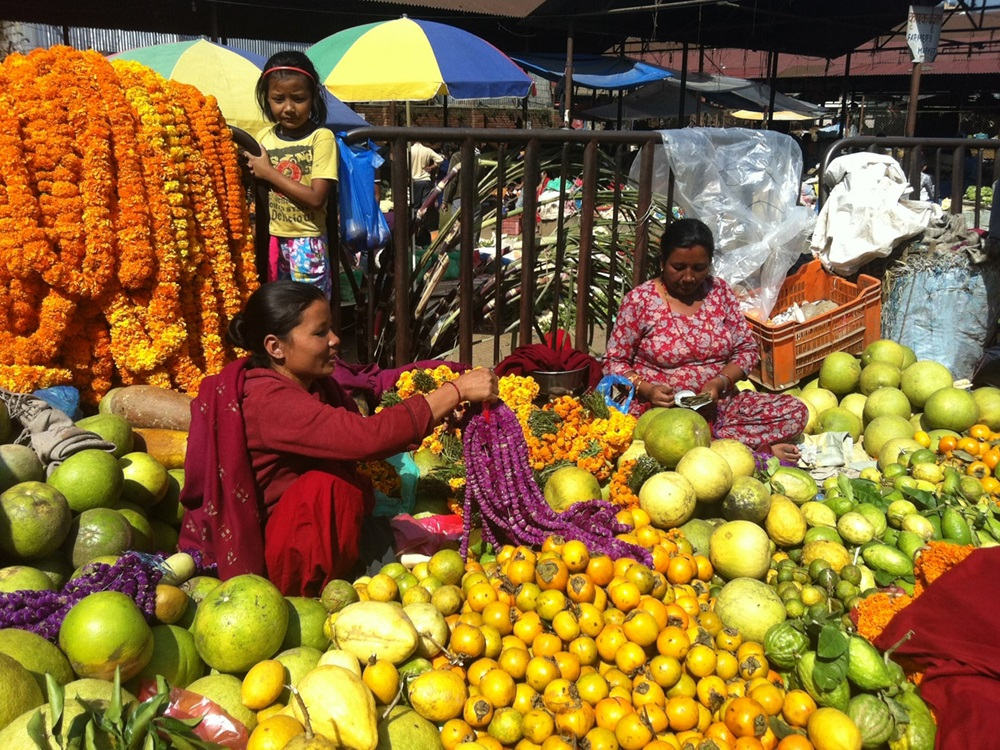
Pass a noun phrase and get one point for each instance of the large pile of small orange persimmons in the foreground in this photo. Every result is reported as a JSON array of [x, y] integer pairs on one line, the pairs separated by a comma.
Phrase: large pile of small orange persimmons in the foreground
[[559, 649]]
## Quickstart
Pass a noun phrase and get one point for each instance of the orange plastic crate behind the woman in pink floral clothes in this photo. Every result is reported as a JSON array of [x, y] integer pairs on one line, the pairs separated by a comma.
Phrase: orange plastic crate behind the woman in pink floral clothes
[[792, 351]]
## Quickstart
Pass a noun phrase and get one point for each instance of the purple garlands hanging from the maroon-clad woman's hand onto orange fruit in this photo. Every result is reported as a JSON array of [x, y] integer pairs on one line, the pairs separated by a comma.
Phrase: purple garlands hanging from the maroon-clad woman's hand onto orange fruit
[[501, 488]]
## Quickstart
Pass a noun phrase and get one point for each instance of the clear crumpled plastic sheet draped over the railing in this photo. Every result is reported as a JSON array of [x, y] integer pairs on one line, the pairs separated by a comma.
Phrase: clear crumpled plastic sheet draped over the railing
[[744, 184]]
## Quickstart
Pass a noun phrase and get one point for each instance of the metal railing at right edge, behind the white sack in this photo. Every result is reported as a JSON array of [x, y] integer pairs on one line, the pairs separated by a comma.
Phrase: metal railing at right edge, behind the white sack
[[946, 159]]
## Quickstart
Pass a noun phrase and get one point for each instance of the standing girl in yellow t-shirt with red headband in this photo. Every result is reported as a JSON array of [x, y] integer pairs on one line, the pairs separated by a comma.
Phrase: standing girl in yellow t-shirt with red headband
[[299, 161]]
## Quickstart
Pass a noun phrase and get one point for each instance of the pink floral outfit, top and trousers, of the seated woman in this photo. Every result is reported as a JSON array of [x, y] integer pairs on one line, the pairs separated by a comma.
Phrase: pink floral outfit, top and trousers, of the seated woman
[[686, 351]]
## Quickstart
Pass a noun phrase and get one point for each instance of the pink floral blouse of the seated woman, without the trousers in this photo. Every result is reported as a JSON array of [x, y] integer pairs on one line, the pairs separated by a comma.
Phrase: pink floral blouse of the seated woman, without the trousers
[[681, 351]]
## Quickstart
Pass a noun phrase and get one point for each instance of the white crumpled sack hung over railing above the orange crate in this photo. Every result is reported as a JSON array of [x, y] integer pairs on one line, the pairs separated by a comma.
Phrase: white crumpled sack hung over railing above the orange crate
[[866, 215]]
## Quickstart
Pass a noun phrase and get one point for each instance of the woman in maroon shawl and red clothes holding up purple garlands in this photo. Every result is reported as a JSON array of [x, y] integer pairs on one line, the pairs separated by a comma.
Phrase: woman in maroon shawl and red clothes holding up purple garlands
[[272, 485]]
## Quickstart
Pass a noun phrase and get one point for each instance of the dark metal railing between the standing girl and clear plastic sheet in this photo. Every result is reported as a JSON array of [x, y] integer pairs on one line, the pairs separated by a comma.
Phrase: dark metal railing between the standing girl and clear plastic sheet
[[513, 151]]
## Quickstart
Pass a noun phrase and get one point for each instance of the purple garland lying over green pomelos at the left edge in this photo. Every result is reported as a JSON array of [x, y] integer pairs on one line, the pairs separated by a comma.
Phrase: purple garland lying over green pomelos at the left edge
[[42, 612]]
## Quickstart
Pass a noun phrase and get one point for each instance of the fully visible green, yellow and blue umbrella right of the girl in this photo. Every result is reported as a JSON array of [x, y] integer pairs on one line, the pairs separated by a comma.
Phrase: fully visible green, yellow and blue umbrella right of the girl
[[413, 60]]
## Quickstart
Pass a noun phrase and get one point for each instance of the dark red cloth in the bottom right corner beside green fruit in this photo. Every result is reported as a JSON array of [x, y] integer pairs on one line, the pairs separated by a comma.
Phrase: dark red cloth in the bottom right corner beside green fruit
[[956, 642]]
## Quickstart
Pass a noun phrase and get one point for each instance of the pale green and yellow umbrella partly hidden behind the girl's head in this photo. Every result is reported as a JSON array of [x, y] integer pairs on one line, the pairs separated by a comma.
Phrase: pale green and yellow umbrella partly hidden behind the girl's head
[[230, 75]]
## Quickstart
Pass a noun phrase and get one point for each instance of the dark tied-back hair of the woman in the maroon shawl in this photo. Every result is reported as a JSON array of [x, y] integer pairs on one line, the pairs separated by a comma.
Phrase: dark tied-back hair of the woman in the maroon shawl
[[274, 309]]
